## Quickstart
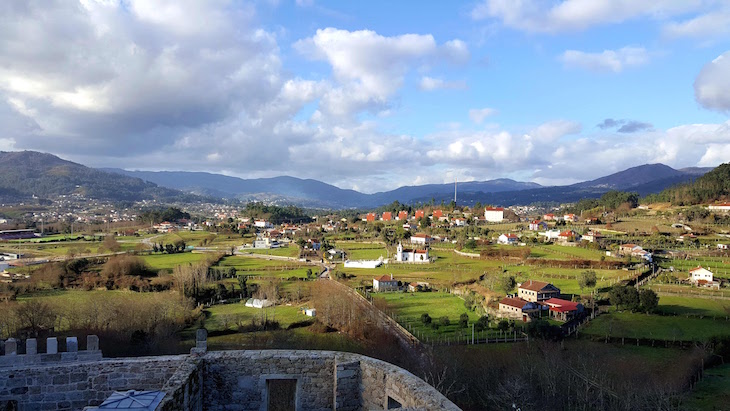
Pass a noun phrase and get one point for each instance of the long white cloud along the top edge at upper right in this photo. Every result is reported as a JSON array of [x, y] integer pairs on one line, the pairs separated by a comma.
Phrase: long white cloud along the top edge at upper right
[[573, 15]]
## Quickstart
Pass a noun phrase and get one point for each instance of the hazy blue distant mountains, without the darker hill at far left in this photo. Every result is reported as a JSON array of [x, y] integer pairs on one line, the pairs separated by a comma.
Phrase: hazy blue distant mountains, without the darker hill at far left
[[646, 179]]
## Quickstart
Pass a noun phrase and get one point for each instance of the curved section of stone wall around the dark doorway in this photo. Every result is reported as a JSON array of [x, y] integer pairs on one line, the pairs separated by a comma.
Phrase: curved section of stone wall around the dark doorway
[[326, 380]]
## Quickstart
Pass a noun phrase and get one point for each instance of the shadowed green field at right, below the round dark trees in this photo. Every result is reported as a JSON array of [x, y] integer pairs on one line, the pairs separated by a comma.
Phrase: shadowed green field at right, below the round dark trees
[[670, 328]]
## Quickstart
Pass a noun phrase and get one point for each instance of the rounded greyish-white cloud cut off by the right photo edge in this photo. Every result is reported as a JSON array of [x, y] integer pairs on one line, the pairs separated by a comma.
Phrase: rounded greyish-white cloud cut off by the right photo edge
[[712, 85]]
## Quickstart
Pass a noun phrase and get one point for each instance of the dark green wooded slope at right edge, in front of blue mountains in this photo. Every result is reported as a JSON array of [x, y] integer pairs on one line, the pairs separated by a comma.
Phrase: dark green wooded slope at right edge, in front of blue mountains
[[711, 187]]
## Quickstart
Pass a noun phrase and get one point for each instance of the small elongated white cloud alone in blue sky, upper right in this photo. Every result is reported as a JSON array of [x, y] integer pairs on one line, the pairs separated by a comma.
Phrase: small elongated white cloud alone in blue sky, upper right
[[608, 60]]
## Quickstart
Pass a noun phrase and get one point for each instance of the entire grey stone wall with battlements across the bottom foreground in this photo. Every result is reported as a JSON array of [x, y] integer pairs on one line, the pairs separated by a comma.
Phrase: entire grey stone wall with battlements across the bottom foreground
[[224, 380]]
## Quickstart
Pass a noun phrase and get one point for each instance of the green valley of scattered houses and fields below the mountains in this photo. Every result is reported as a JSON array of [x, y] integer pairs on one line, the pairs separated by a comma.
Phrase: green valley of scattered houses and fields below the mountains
[[441, 276]]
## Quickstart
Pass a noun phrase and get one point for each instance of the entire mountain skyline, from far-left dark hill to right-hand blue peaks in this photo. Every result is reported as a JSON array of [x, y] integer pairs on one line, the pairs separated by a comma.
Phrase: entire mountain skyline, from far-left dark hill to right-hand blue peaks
[[27, 173]]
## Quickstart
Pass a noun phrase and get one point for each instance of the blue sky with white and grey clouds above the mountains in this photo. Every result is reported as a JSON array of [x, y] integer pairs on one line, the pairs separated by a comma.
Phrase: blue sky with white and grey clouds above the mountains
[[369, 95]]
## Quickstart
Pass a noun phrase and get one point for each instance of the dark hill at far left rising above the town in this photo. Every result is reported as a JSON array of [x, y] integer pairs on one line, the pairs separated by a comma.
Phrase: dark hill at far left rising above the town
[[27, 173]]
